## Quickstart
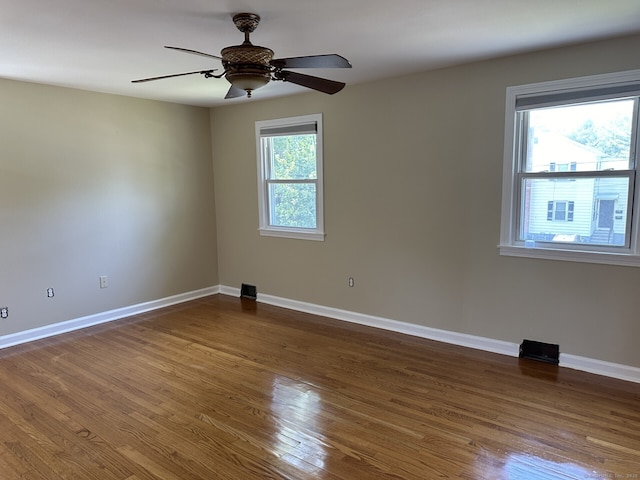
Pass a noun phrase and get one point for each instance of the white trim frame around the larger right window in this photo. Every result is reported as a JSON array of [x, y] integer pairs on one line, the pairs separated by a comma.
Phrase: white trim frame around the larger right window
[[509, 245]]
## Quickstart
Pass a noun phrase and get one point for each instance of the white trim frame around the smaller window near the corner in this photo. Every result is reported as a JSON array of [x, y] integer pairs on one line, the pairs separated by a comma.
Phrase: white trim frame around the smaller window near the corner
[[265, 228]]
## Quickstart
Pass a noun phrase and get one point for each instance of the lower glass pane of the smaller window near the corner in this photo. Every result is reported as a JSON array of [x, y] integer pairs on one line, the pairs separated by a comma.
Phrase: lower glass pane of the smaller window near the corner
[[292, 205]]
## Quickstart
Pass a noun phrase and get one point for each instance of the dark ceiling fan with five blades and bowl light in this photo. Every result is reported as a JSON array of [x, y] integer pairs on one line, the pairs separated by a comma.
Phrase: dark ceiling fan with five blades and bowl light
[[248, 67]]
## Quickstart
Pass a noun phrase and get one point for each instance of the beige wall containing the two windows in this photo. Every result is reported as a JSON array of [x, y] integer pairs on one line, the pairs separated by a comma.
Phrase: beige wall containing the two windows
[[413, 170]]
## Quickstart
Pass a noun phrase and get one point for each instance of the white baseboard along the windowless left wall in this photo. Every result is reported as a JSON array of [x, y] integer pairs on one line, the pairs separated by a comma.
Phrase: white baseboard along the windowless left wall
[[103, 317]]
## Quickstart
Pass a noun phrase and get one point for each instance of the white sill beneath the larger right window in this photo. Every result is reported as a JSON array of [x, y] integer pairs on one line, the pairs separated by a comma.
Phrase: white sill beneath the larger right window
[[607, 258]]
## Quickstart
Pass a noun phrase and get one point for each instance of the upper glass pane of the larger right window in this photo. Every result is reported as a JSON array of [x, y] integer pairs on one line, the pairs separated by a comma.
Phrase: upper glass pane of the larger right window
[[592, 136]]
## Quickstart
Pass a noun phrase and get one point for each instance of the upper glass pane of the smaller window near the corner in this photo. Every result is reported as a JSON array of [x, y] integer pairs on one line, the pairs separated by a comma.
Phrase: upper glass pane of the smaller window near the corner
[[293, 157]]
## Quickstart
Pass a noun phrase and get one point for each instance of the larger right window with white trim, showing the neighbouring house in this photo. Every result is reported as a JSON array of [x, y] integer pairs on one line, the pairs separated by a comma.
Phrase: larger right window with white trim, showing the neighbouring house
[[570, 167]]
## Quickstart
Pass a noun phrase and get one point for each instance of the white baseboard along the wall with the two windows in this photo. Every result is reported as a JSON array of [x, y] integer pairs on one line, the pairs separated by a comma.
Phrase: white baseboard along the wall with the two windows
[[599, 367]]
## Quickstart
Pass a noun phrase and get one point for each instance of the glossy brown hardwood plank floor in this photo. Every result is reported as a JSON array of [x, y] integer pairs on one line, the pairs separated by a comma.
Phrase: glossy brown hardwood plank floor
[[221, 388]]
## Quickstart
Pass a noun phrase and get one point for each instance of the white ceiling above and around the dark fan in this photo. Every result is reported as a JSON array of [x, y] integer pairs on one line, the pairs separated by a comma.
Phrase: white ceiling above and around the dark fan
[[102, 45]]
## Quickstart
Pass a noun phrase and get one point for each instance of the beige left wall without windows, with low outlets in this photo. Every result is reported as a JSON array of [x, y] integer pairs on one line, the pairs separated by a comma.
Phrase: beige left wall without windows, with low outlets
[[94, 184]]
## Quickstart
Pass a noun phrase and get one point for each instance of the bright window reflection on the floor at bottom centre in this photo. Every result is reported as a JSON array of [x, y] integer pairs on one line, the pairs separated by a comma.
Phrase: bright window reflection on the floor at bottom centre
[[297, 408]]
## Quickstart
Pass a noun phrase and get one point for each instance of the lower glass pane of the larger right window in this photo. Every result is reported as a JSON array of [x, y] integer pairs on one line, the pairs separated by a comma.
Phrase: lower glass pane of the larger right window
[[587, 210]]
